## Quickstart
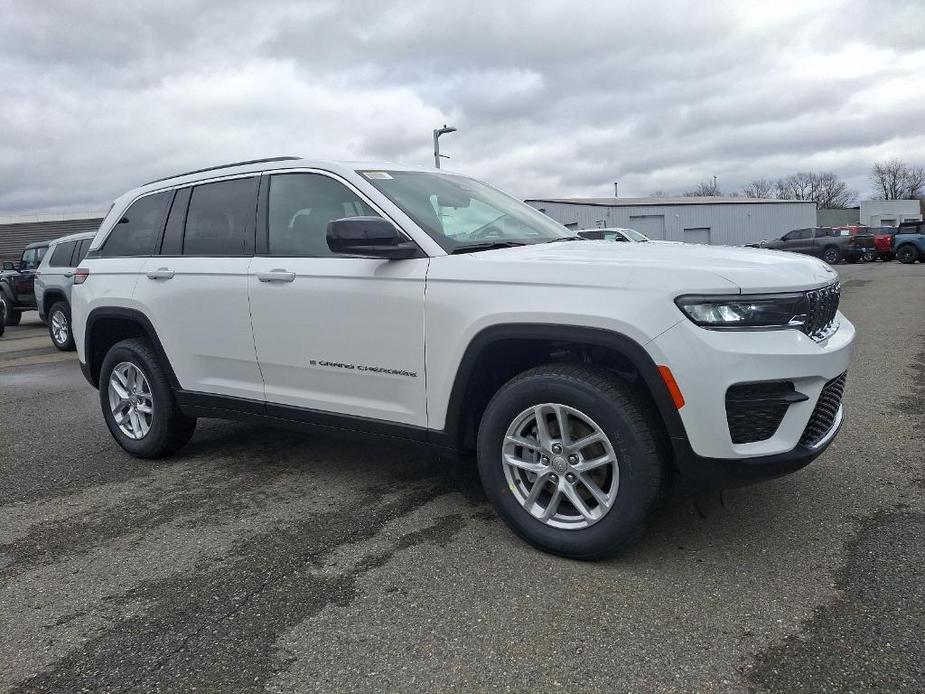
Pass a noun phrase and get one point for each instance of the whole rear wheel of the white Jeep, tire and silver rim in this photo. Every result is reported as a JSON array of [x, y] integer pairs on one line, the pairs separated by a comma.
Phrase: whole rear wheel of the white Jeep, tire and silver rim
[[138, 404]]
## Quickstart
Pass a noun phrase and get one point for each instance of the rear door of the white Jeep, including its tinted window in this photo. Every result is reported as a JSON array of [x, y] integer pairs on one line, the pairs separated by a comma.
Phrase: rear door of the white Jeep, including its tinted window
[[195, 289]]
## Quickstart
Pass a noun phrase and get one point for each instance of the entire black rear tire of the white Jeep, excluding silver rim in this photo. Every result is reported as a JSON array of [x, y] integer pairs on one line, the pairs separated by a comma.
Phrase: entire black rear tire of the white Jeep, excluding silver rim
[[170, 429]]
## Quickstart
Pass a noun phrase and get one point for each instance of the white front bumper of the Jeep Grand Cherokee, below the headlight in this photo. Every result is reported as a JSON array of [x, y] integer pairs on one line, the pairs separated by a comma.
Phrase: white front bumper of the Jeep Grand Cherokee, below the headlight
[[705, 363]]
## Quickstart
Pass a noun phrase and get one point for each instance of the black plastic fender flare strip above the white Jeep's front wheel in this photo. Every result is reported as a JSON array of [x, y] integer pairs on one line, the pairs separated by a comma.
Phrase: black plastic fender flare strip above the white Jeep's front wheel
[[598, 337]]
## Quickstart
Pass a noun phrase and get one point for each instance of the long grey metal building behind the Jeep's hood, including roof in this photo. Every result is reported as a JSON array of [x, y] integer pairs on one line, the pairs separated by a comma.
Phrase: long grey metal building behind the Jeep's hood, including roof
[[713, 220]]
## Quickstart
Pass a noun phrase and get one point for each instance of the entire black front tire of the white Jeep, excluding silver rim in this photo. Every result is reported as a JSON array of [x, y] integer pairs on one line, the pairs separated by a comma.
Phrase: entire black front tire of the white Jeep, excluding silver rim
[[631, 424]]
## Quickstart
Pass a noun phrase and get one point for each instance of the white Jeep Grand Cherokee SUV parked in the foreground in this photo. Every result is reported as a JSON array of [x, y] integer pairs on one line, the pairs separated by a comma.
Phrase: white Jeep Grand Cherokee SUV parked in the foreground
[[427, 306]]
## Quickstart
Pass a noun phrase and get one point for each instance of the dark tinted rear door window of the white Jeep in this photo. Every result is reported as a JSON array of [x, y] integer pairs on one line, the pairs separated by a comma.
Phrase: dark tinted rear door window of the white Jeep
[[220, 218]]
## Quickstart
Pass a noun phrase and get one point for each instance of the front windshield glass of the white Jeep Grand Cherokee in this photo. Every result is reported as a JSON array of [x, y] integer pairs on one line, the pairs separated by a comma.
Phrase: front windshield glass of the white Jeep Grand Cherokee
[[457, 211]]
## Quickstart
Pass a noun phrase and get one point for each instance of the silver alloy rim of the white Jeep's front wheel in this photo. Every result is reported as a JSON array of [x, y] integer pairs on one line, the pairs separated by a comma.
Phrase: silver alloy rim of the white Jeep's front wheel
[[560, 466]]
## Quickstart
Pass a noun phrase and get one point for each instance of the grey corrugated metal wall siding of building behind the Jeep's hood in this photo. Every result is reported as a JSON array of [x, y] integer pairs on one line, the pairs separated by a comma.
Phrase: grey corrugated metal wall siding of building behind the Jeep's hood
[[729, 224]]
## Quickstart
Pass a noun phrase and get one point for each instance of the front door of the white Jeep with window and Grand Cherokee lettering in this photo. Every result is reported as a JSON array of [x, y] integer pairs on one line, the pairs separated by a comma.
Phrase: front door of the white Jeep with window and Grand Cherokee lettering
[[339, 334]]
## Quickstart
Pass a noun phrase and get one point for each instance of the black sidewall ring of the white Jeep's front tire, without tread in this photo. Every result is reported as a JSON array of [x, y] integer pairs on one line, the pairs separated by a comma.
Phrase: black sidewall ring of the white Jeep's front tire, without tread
[[634, 492]]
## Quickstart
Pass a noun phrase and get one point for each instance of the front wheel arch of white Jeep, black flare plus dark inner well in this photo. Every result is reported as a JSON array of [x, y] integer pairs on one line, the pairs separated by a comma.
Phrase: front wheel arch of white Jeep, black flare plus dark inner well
[[524, 345]]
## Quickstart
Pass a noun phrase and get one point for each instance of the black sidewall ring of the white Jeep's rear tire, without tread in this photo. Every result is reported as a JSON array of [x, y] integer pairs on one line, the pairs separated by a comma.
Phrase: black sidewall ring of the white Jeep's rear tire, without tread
[[160, 390]]
